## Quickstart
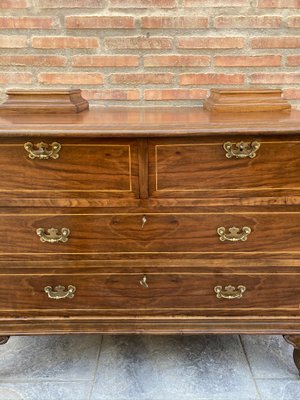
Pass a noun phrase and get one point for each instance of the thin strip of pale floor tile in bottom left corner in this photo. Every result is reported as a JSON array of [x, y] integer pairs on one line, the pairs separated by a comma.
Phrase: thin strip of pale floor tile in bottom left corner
[[45, 391]]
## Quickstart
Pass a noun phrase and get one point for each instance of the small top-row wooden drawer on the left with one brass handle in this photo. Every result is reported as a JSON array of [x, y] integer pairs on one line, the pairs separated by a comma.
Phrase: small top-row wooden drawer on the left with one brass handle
[[64, 167]]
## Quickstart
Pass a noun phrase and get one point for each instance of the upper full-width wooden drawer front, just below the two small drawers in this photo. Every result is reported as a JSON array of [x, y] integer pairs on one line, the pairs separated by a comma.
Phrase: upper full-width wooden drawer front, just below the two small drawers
[[138, 233]]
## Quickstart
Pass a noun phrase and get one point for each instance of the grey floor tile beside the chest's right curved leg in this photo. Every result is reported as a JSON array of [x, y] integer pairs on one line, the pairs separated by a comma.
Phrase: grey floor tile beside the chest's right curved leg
[[270, 356]]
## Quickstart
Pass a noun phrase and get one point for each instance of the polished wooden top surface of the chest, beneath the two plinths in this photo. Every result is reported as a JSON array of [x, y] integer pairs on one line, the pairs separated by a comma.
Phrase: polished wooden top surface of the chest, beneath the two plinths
[[139, 122]]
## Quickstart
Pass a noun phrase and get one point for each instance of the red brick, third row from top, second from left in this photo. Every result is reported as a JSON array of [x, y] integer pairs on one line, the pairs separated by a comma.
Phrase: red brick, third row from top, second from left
[[64, 42]]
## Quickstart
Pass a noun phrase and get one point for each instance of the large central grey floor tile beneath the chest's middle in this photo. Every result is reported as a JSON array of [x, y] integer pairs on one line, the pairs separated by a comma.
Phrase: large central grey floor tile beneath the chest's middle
[[173, 368]]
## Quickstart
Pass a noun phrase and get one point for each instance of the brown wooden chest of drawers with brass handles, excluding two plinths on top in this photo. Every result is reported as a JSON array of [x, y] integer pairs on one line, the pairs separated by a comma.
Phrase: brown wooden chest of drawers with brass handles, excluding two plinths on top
[[150, 221]]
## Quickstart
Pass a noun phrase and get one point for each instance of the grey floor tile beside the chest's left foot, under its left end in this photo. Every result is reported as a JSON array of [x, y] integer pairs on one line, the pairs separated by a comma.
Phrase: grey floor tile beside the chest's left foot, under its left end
[[60, 358]]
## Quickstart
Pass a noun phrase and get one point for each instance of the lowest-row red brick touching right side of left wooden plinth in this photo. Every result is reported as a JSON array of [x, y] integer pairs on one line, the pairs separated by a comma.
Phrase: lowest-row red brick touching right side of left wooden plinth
[[112, 94]]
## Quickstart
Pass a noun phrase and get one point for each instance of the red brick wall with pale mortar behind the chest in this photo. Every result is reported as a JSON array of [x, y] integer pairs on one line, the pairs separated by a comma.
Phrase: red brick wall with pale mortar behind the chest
[[150, 52]]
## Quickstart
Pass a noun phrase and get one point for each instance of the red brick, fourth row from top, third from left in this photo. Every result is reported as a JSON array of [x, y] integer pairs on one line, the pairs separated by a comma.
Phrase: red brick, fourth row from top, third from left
[[176, 60]]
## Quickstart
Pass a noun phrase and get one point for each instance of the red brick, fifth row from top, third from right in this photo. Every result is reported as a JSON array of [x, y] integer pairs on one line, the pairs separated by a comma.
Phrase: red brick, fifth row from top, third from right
[[141, 78]]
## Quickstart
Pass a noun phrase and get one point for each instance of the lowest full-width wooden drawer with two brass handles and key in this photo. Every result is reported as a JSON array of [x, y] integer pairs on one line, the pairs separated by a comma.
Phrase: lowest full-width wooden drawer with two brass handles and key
[[172, 291]]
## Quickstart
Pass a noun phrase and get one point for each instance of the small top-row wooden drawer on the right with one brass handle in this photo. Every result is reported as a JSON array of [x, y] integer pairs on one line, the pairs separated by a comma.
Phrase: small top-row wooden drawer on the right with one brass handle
[[204, 168]]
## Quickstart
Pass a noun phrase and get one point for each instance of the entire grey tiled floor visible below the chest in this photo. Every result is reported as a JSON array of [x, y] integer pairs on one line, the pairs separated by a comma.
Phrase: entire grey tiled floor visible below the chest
[[88, 367]]
